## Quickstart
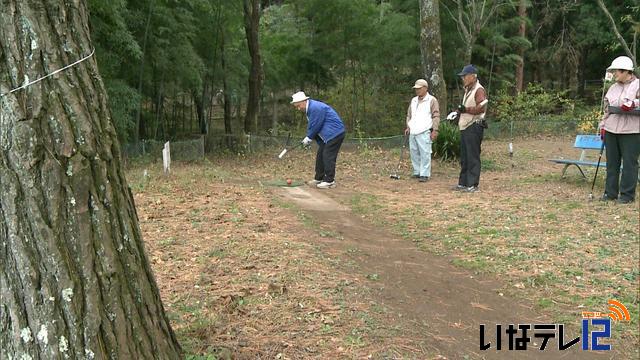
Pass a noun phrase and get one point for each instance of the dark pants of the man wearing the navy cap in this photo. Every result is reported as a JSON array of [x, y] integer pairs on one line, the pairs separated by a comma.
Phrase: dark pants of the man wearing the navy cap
[[470, 141]]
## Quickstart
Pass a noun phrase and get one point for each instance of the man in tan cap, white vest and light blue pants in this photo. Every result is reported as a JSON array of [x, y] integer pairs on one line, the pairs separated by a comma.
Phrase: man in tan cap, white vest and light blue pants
[[423, 118]]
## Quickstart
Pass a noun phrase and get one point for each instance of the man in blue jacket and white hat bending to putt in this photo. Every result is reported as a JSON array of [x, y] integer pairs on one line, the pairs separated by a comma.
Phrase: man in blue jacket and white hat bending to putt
[[326, 128]]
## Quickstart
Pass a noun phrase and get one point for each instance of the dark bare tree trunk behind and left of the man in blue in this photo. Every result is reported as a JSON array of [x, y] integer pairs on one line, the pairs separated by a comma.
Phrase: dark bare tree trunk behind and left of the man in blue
[[251, 26]]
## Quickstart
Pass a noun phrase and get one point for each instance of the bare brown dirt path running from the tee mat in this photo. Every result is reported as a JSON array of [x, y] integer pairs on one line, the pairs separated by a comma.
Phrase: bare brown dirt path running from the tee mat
[[445, 303]]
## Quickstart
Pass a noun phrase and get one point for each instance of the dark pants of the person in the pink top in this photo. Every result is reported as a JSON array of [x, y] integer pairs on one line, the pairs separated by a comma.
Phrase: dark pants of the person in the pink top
[[625, 149]]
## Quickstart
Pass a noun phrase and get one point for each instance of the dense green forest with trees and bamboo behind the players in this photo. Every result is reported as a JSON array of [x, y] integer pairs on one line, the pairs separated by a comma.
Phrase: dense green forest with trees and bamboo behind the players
[[204, 68]]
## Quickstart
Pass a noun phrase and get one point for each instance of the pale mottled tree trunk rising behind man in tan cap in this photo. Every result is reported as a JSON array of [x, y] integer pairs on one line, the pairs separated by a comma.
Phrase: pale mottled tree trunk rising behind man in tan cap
[[431, 50]]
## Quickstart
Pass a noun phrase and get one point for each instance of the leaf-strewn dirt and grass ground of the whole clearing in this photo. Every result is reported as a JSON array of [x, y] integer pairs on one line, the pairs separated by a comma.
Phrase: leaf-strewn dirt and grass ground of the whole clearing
[[250, 268]]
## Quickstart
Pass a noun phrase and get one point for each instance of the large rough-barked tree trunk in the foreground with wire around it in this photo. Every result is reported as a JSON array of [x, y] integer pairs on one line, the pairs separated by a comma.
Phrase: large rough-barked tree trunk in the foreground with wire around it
[[75, 282]]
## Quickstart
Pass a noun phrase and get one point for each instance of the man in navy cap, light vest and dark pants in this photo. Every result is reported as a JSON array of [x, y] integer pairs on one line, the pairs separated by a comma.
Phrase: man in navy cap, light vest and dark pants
[[472, 124]]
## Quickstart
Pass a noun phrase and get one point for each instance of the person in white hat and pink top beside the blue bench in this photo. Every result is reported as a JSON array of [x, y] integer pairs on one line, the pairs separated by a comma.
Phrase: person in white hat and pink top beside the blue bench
[[620, 129]]
